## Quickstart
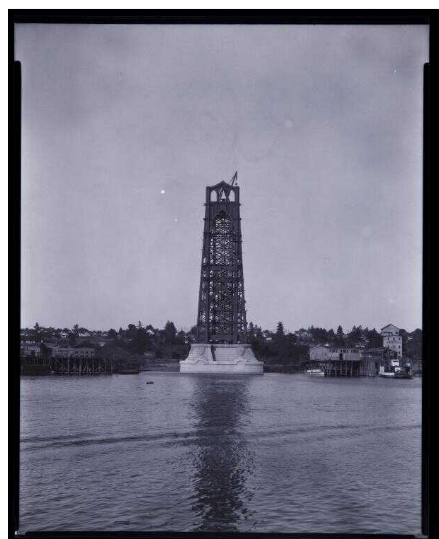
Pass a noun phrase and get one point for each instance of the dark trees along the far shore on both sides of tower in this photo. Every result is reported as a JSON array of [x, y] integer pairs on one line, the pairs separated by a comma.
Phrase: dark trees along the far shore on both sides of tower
[[278, 346]]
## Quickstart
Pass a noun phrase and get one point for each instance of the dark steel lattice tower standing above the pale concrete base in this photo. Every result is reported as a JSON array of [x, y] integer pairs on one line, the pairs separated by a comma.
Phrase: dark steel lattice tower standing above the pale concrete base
[[221, 303]]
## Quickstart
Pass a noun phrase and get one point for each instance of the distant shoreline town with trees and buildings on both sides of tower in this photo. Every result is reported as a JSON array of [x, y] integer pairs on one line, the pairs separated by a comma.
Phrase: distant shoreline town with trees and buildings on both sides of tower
[[281, 350]]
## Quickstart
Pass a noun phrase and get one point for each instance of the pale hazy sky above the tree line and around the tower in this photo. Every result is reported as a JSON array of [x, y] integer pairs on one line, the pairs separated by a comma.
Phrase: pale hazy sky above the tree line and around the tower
[[123, 127]]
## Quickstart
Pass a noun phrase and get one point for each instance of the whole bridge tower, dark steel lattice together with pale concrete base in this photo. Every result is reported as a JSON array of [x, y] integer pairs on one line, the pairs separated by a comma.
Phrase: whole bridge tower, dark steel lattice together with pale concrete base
[[221, 324]]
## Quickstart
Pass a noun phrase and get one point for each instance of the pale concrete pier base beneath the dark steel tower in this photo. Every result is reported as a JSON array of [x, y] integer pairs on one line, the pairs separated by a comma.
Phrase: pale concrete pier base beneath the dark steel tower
[[205, 358]]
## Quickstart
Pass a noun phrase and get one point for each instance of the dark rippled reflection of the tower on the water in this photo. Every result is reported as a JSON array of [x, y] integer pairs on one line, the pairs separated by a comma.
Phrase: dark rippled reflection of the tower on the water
[[223, 459]]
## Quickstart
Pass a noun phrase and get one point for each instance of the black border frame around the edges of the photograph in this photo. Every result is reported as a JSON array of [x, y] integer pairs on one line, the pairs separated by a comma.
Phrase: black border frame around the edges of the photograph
[[429, 451]]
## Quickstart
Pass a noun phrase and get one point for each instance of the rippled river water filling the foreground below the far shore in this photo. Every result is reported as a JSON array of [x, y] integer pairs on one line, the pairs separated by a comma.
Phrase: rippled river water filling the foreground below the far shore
[[272, 453]]
